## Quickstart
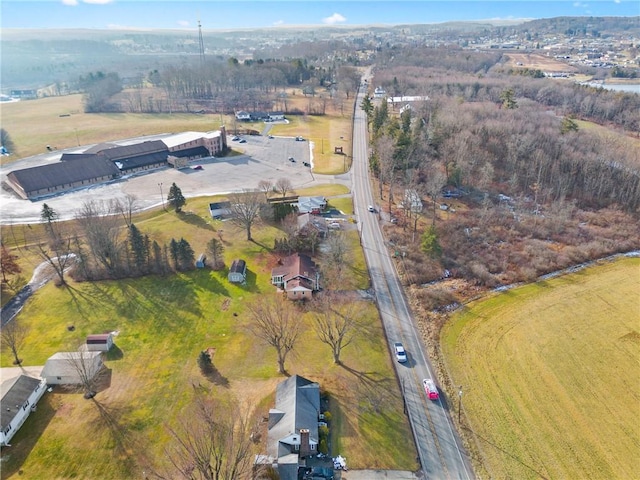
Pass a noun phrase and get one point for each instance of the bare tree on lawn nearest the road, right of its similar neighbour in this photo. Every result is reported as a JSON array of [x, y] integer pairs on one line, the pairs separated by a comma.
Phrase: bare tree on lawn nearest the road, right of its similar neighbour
[[334, 324]]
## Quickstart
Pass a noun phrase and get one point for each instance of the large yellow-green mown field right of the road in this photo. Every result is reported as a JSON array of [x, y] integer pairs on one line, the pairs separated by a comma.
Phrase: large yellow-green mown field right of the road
[[551, 375]]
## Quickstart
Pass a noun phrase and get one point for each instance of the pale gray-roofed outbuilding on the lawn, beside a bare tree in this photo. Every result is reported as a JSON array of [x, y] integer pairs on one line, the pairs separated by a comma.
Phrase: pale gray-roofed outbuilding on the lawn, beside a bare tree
[[63, 368]]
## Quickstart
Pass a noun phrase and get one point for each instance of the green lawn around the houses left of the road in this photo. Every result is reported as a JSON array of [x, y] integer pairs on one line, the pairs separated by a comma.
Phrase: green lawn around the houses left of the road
[[164, 323]]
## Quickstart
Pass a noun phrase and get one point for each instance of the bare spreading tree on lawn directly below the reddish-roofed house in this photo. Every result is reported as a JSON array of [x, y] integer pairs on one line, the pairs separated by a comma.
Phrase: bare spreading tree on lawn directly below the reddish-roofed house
[[276, 323]]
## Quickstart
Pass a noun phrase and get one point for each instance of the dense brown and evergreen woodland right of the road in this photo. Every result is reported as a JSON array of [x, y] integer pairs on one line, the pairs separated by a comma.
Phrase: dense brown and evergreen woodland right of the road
[[534, 191]]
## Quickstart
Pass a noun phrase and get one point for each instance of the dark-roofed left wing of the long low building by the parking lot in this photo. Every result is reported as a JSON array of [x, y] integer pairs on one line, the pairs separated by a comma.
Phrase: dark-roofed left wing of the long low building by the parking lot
[[57, 177]]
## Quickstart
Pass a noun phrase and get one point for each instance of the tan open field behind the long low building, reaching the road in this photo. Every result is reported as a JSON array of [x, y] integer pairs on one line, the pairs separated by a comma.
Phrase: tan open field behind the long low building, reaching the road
[[61, 123]]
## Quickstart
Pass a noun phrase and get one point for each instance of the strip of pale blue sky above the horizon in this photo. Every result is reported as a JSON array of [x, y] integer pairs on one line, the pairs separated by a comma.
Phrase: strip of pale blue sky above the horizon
[[224, 14]]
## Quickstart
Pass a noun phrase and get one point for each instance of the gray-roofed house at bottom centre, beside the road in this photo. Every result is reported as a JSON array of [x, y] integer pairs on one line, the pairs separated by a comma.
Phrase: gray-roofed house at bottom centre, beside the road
[[293, 425]]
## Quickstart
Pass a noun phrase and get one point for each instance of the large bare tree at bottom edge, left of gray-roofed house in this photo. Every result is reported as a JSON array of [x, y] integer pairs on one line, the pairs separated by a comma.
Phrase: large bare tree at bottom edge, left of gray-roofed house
[[212, 443]]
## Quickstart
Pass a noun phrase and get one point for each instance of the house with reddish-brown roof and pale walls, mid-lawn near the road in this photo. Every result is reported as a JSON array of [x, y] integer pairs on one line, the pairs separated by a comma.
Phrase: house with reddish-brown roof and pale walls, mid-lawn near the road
[[298, 276]]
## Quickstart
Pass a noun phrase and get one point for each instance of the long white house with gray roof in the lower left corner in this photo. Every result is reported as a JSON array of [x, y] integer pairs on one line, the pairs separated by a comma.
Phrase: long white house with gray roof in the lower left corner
[[20, 394]]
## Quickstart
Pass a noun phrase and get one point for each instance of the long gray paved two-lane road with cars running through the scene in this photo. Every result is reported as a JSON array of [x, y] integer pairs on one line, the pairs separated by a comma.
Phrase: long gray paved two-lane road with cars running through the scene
[[439, 450]]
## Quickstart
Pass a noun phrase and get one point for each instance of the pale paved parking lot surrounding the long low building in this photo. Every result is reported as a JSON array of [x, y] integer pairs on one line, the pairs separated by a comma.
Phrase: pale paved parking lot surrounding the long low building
[[259, 158]]
